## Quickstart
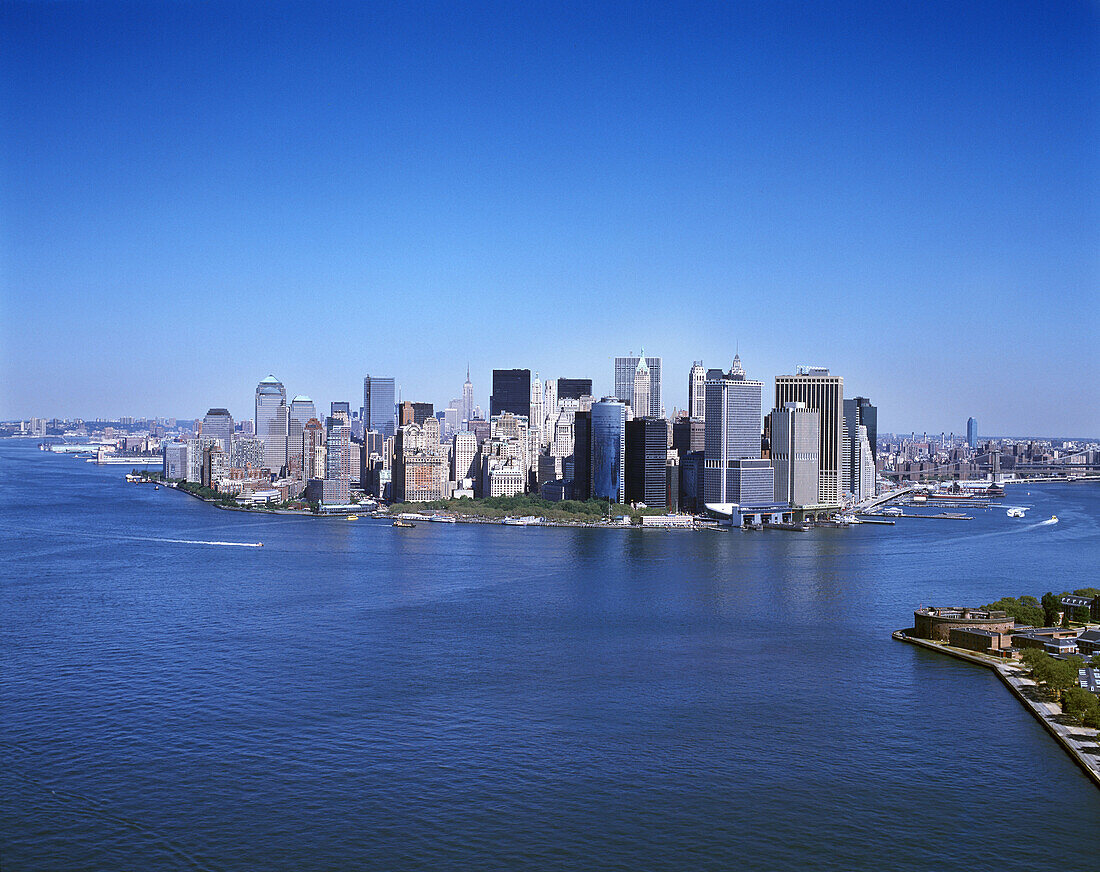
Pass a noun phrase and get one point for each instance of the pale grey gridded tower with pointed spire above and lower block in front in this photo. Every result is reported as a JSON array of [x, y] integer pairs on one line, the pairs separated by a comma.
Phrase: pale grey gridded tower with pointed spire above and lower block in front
[[734, 472]]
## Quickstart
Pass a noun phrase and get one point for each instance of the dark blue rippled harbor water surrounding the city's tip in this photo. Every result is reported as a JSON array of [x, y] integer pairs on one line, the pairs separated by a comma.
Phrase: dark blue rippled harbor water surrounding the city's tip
[[357, 697]]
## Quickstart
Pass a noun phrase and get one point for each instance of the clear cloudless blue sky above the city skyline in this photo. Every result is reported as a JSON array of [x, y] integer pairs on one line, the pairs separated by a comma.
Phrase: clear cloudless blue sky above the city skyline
[[197, 194]]
